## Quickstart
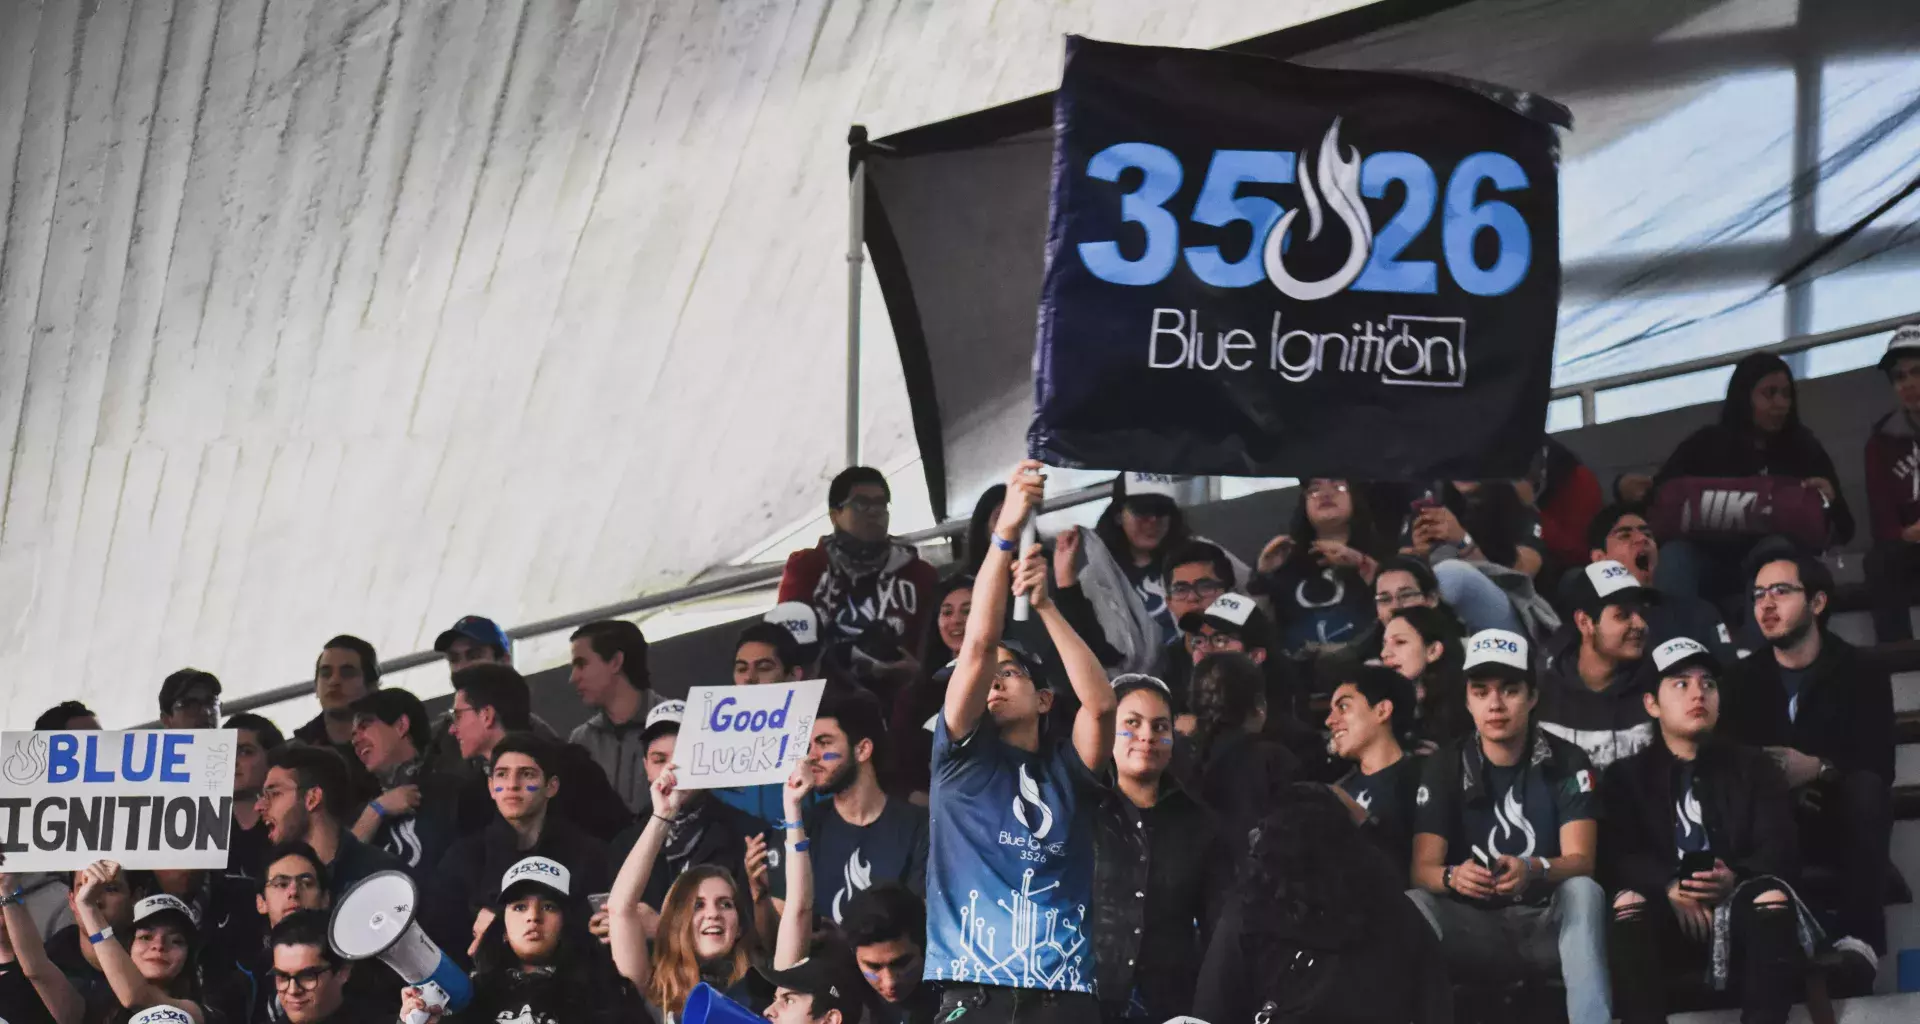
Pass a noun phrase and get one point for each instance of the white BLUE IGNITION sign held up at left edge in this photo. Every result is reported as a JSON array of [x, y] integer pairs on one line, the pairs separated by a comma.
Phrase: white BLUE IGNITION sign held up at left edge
[[147, 798]]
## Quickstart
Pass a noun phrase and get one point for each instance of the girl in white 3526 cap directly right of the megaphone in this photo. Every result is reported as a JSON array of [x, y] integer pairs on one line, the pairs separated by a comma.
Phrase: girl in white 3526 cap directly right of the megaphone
[[537, 962]]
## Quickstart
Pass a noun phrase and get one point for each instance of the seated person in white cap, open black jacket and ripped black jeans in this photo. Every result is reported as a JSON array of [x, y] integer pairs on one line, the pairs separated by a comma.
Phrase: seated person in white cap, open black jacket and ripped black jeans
[[1700, 850]]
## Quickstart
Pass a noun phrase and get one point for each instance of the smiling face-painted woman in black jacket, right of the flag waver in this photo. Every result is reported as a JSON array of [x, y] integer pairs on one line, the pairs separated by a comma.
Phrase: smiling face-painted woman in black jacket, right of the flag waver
[[1153, 839]]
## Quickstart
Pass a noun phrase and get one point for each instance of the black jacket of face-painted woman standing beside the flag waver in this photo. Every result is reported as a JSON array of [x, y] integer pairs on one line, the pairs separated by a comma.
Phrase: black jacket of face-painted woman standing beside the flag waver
[[1161, 879]]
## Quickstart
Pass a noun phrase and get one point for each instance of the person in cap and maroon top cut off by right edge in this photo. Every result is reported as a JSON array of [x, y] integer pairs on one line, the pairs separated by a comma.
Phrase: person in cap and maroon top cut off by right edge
[[1894, 493]]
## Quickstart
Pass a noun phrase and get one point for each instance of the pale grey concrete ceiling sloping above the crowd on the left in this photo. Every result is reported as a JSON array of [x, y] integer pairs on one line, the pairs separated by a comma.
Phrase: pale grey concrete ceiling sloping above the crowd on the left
[[356, 316]]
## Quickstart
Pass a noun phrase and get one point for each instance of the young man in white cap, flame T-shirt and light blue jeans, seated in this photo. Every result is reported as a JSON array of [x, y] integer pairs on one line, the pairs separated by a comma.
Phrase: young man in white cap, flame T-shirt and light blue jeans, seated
[[1504, 841]]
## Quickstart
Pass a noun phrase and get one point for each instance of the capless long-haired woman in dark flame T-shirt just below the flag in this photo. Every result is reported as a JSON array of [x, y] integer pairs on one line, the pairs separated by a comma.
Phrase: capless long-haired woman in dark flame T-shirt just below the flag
[[1320, 573]]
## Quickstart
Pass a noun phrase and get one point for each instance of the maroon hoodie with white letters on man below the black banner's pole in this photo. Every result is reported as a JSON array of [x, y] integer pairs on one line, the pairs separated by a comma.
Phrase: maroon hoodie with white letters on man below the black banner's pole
[[901, 595]]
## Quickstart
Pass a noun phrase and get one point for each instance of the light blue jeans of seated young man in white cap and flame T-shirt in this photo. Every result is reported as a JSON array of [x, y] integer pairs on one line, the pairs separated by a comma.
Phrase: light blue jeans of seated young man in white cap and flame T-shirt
[[1508, 944]]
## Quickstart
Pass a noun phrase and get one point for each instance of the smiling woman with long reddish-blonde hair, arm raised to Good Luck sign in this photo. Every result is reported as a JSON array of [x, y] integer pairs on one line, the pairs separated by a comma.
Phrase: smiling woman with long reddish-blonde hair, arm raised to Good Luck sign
[[706, 931]]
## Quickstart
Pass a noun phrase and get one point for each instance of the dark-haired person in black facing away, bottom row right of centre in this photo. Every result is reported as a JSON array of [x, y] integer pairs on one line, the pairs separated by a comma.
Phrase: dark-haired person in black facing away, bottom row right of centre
[[1320, 929]]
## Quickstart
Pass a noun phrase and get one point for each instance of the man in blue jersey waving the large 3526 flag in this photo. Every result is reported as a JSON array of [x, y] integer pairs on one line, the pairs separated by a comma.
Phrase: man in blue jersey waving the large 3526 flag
[[1011, 854]]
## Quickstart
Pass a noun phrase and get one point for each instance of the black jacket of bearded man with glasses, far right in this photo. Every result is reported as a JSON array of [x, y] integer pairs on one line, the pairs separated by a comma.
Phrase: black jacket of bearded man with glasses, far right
[[1846, 708]]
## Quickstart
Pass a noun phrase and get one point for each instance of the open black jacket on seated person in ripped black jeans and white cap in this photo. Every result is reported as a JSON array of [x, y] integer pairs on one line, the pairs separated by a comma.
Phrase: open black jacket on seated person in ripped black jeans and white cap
[[1744, 806]]
